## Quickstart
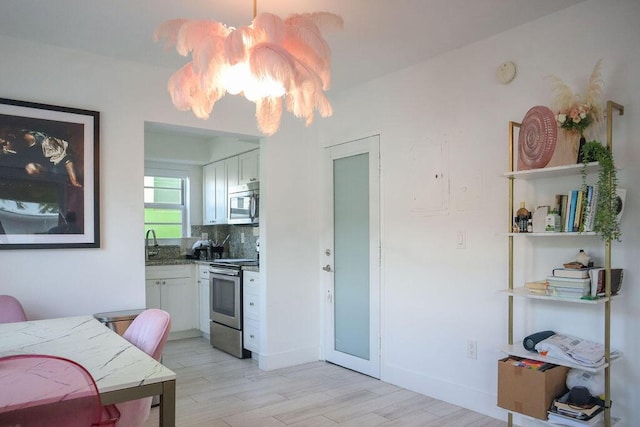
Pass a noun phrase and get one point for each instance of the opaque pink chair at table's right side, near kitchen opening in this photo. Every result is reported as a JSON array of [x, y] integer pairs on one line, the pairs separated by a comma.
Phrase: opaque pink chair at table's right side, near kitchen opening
[[149, 332]]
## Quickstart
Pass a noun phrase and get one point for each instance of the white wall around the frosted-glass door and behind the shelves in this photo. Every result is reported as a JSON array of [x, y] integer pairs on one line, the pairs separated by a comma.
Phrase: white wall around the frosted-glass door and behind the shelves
[[436, 297]]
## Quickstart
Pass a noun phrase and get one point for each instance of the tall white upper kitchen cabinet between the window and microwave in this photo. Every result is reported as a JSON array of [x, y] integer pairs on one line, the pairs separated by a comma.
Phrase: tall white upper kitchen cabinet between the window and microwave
[[214, 177]]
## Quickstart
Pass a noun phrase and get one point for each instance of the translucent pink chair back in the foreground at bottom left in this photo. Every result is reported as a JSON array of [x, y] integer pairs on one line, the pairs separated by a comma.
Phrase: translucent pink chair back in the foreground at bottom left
[[48, 391]]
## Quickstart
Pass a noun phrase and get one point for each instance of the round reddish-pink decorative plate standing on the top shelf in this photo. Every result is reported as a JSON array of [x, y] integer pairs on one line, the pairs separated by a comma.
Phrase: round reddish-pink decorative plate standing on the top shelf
[[537, 138]]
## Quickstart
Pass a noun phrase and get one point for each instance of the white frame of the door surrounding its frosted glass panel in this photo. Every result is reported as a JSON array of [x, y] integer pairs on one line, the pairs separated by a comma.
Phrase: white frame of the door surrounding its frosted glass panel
[[367, 144]]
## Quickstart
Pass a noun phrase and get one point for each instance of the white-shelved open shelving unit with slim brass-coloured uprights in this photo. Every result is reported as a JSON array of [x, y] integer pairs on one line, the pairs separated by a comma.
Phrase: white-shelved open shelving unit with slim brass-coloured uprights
[[517, 349]]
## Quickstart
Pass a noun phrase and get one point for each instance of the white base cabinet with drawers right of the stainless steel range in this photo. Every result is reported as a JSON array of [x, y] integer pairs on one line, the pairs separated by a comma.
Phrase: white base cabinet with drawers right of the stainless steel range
[[251, 310]]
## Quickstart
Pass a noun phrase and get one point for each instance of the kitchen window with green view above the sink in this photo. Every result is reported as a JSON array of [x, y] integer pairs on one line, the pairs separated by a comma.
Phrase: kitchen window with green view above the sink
[[165, 209]]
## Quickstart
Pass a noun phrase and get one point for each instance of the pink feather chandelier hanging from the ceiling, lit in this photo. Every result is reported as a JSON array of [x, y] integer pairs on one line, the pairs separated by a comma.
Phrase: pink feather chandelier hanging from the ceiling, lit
[[273, 62]]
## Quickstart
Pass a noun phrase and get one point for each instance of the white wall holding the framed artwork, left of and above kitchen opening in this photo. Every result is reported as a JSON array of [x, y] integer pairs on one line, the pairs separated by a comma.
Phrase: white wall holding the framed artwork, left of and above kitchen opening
[[54, 283]]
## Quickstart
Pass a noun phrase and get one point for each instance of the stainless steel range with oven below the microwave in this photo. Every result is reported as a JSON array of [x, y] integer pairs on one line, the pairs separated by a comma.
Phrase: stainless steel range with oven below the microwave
[[225, 305]]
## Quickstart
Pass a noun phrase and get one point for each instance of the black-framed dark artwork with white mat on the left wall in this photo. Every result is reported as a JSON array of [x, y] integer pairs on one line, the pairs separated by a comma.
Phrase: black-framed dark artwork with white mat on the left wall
[[49, 196]]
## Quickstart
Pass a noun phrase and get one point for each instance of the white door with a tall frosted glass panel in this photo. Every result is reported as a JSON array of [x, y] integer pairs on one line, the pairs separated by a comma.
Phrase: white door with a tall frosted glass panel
[[351, 256]]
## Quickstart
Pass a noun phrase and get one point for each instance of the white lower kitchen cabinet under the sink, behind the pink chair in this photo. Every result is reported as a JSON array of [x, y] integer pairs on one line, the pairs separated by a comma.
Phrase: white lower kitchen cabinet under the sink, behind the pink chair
[[171, 288]]
